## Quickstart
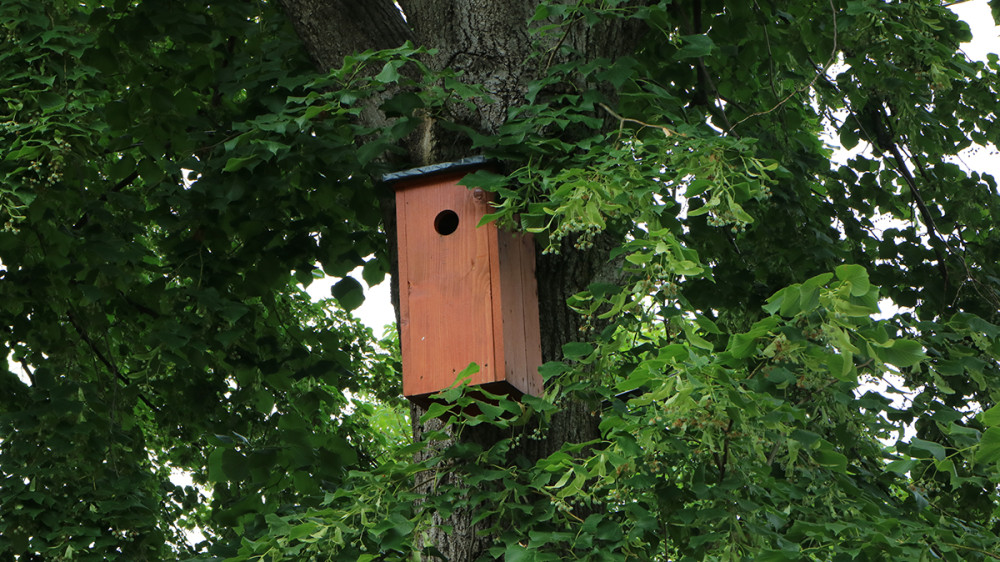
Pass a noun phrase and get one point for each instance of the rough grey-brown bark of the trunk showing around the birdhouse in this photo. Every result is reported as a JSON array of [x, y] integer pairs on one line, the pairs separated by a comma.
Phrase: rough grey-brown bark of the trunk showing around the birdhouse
[[489, 42]]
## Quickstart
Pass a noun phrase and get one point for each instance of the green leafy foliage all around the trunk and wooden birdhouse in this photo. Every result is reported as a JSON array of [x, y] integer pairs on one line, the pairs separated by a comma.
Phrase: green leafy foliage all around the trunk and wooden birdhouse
[[175, 173]]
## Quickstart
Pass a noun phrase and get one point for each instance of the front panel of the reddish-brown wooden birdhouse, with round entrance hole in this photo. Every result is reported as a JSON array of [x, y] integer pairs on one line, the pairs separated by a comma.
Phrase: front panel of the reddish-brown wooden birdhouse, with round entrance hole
[[446, 310]]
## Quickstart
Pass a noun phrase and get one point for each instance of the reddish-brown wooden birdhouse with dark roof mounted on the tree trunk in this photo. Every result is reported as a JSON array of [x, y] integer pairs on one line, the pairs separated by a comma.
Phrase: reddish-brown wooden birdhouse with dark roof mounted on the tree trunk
[[467, 293]]
